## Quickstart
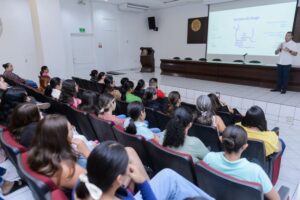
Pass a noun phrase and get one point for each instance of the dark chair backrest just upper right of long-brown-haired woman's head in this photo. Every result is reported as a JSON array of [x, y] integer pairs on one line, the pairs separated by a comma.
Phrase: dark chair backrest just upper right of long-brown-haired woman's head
[[81, 121]]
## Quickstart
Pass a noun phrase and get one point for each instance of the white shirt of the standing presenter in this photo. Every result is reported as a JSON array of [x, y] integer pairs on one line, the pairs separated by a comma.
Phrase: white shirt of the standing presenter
[[285, 58]]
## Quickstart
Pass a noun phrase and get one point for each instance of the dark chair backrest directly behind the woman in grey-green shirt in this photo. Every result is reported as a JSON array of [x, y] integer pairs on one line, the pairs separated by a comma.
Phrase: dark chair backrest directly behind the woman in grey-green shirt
[[162, 157]]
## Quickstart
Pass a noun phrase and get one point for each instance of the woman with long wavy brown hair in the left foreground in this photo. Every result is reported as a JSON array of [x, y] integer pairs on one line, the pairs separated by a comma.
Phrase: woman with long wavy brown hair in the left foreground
[[51, 153]]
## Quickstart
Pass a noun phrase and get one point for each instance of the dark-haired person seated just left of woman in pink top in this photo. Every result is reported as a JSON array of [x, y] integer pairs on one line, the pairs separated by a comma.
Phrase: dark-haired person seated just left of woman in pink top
[[89, 103]]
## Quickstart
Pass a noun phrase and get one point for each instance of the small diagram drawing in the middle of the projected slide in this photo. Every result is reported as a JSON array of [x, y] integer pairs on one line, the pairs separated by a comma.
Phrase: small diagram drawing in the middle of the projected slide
[[244, 38]]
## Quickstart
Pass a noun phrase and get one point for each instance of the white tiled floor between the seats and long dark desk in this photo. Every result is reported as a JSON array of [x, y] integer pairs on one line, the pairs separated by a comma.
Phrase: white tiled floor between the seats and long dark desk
[[281, 110]]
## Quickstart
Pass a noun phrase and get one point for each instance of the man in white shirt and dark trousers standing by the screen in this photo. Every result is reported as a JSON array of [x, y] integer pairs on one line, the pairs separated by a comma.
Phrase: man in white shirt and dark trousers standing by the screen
[[286, 50]]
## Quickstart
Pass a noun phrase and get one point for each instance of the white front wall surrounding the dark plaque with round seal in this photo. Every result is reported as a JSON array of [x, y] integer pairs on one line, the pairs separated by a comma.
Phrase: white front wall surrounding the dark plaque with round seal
[[171, 38]]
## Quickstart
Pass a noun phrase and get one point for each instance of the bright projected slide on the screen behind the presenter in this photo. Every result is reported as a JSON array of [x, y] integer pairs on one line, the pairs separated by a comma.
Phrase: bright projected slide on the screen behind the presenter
[[253, 30]]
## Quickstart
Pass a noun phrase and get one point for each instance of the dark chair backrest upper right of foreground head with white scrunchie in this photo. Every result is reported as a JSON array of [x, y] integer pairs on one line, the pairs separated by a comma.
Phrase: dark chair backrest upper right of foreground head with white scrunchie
[[134, 141]]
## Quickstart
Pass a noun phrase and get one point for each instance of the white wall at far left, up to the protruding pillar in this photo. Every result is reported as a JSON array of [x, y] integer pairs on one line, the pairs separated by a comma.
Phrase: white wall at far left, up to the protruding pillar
[[17, 41]]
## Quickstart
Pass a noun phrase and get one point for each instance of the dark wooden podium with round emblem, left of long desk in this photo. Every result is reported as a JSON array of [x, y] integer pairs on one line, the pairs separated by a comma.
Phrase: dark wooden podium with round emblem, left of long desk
[[147, 59]]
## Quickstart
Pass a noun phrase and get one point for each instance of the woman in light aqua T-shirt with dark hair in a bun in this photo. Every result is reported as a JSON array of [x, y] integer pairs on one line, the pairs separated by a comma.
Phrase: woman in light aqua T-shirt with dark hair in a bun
[[234, 140]]
